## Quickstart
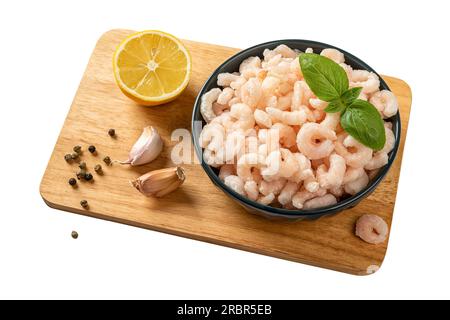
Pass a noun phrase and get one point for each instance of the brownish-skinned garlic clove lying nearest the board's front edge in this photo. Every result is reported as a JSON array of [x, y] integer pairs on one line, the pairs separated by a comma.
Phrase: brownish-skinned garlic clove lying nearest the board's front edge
[[158, 183]]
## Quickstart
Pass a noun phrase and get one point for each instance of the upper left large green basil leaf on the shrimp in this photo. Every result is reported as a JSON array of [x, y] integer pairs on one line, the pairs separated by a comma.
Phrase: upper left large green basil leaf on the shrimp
[[325, 77]]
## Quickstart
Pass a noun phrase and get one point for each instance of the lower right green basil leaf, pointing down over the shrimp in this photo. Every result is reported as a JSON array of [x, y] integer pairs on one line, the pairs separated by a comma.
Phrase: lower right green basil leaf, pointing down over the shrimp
[[363, 122]]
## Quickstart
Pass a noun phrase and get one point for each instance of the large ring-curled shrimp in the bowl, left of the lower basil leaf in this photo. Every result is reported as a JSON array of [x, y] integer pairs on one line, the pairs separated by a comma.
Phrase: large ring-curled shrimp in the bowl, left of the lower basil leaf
[[315, 141]]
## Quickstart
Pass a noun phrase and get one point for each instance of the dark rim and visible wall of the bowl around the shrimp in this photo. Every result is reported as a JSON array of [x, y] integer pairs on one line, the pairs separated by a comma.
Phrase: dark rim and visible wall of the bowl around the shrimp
[[282, 212]]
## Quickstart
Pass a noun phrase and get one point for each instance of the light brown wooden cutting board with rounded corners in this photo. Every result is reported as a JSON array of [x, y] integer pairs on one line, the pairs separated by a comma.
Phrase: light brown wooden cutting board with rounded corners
[[197, 210]]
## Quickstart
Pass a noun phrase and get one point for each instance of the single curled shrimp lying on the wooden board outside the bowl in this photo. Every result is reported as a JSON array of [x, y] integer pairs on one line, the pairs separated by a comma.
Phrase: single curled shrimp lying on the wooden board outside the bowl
[[372, 229]]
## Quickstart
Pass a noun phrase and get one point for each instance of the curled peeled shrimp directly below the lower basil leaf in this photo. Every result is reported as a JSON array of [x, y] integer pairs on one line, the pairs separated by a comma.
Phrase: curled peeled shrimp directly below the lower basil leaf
[[355, 154]]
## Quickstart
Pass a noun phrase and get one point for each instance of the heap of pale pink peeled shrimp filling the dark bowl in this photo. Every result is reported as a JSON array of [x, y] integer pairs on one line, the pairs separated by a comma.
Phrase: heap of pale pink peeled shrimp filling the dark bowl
[[273, 142]]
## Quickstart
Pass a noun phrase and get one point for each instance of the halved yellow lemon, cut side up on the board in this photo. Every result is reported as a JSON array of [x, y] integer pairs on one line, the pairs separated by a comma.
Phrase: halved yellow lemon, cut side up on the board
[[152, 67]]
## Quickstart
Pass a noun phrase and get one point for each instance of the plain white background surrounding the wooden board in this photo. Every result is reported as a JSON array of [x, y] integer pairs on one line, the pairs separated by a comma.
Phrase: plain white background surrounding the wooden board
[[45, 46]]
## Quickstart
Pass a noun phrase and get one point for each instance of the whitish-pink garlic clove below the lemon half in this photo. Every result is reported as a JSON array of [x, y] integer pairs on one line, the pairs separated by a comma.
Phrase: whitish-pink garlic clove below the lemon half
[[146, 149]]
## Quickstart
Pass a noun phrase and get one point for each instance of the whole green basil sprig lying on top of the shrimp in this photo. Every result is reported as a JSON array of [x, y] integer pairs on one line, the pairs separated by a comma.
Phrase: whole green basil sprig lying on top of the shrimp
[[329, 82]]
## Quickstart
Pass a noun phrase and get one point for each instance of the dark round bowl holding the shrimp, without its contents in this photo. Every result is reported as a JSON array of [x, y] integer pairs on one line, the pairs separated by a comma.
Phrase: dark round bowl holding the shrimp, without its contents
[[232, 65]]
